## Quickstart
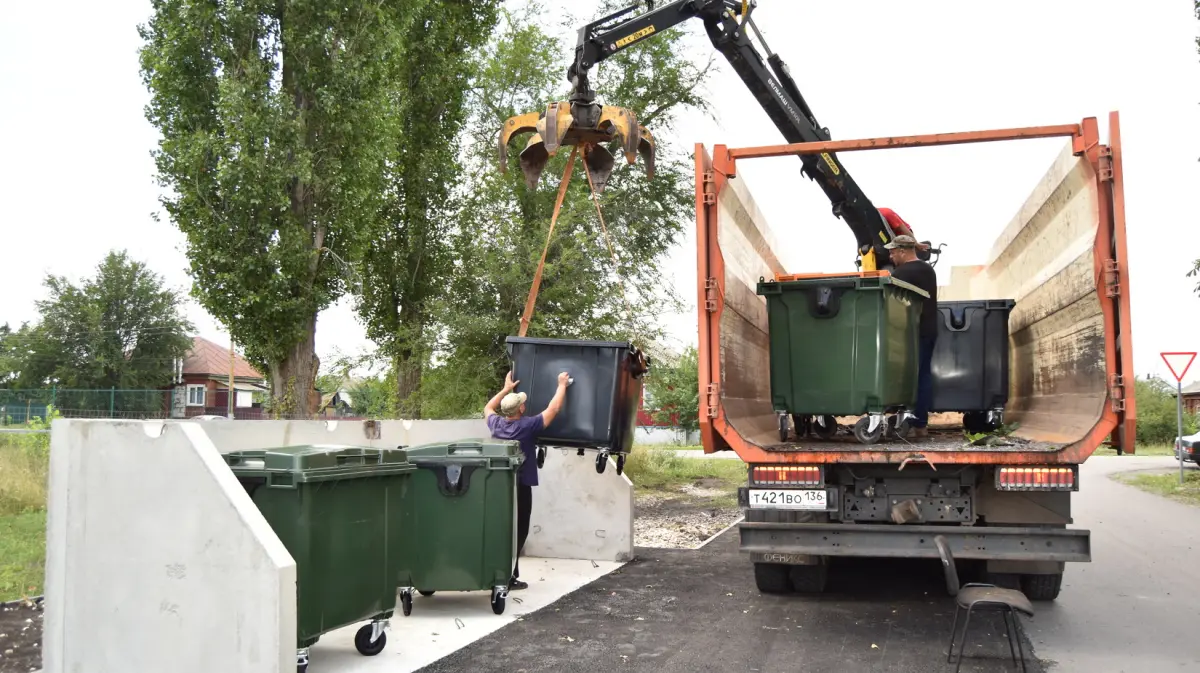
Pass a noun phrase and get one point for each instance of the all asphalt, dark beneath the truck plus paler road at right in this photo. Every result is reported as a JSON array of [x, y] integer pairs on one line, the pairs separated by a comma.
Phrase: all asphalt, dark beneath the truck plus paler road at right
[[1133, 610]]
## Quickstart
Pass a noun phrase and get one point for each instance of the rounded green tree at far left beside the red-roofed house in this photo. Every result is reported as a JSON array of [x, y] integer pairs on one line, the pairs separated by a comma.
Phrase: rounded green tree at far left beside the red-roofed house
[[122, 329]]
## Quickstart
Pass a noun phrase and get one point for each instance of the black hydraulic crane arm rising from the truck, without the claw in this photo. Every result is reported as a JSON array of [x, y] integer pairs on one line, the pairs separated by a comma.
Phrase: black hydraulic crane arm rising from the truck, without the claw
[[772, 85]]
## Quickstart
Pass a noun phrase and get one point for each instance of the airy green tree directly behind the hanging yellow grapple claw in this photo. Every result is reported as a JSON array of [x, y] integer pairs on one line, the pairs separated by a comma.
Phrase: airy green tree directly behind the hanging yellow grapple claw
[[502, 226]]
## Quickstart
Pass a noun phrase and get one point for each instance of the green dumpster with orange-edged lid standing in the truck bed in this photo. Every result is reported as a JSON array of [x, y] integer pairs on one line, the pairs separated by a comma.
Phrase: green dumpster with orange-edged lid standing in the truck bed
[[843, 345]]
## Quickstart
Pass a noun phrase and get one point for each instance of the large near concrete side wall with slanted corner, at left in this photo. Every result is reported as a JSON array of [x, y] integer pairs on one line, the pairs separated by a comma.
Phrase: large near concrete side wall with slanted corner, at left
[[158, 560]]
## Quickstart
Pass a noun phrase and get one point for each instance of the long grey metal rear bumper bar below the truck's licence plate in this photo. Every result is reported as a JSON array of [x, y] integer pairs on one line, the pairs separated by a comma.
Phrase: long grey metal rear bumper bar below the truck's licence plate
[[783, 540]]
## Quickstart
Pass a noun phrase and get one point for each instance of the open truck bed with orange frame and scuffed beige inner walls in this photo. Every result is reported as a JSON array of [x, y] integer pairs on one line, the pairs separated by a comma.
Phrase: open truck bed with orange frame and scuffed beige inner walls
[[1061, 259]]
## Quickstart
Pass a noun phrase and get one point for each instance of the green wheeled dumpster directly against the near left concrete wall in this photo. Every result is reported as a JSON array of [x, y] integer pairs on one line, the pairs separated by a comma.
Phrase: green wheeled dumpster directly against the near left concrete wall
[[337, 509]]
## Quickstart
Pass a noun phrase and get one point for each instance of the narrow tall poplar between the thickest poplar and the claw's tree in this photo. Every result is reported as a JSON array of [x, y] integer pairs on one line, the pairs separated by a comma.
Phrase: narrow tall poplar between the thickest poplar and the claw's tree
[[409, 260]]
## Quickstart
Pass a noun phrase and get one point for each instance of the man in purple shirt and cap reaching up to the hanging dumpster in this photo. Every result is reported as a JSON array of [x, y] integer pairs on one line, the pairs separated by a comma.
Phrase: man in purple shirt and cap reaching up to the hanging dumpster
[[507, 420]]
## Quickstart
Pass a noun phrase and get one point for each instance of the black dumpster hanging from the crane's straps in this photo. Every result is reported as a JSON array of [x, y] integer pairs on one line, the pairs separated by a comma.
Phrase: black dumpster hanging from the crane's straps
[[602, 402]]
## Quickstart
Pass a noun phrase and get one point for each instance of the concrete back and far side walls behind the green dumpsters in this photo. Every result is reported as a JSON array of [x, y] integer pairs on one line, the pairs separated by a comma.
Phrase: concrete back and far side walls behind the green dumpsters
[[578, 514]]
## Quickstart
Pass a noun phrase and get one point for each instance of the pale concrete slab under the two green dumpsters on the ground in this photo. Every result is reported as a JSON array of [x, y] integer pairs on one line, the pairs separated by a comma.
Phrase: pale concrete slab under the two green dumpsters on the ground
[[446, 623]]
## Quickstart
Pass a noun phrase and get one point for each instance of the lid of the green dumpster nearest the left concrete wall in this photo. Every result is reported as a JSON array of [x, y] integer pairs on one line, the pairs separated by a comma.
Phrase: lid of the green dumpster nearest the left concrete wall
[[311, 464]]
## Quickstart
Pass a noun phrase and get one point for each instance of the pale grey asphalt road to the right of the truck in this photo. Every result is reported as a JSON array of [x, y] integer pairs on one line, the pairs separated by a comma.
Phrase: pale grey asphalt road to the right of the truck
[[1137, 606]]
